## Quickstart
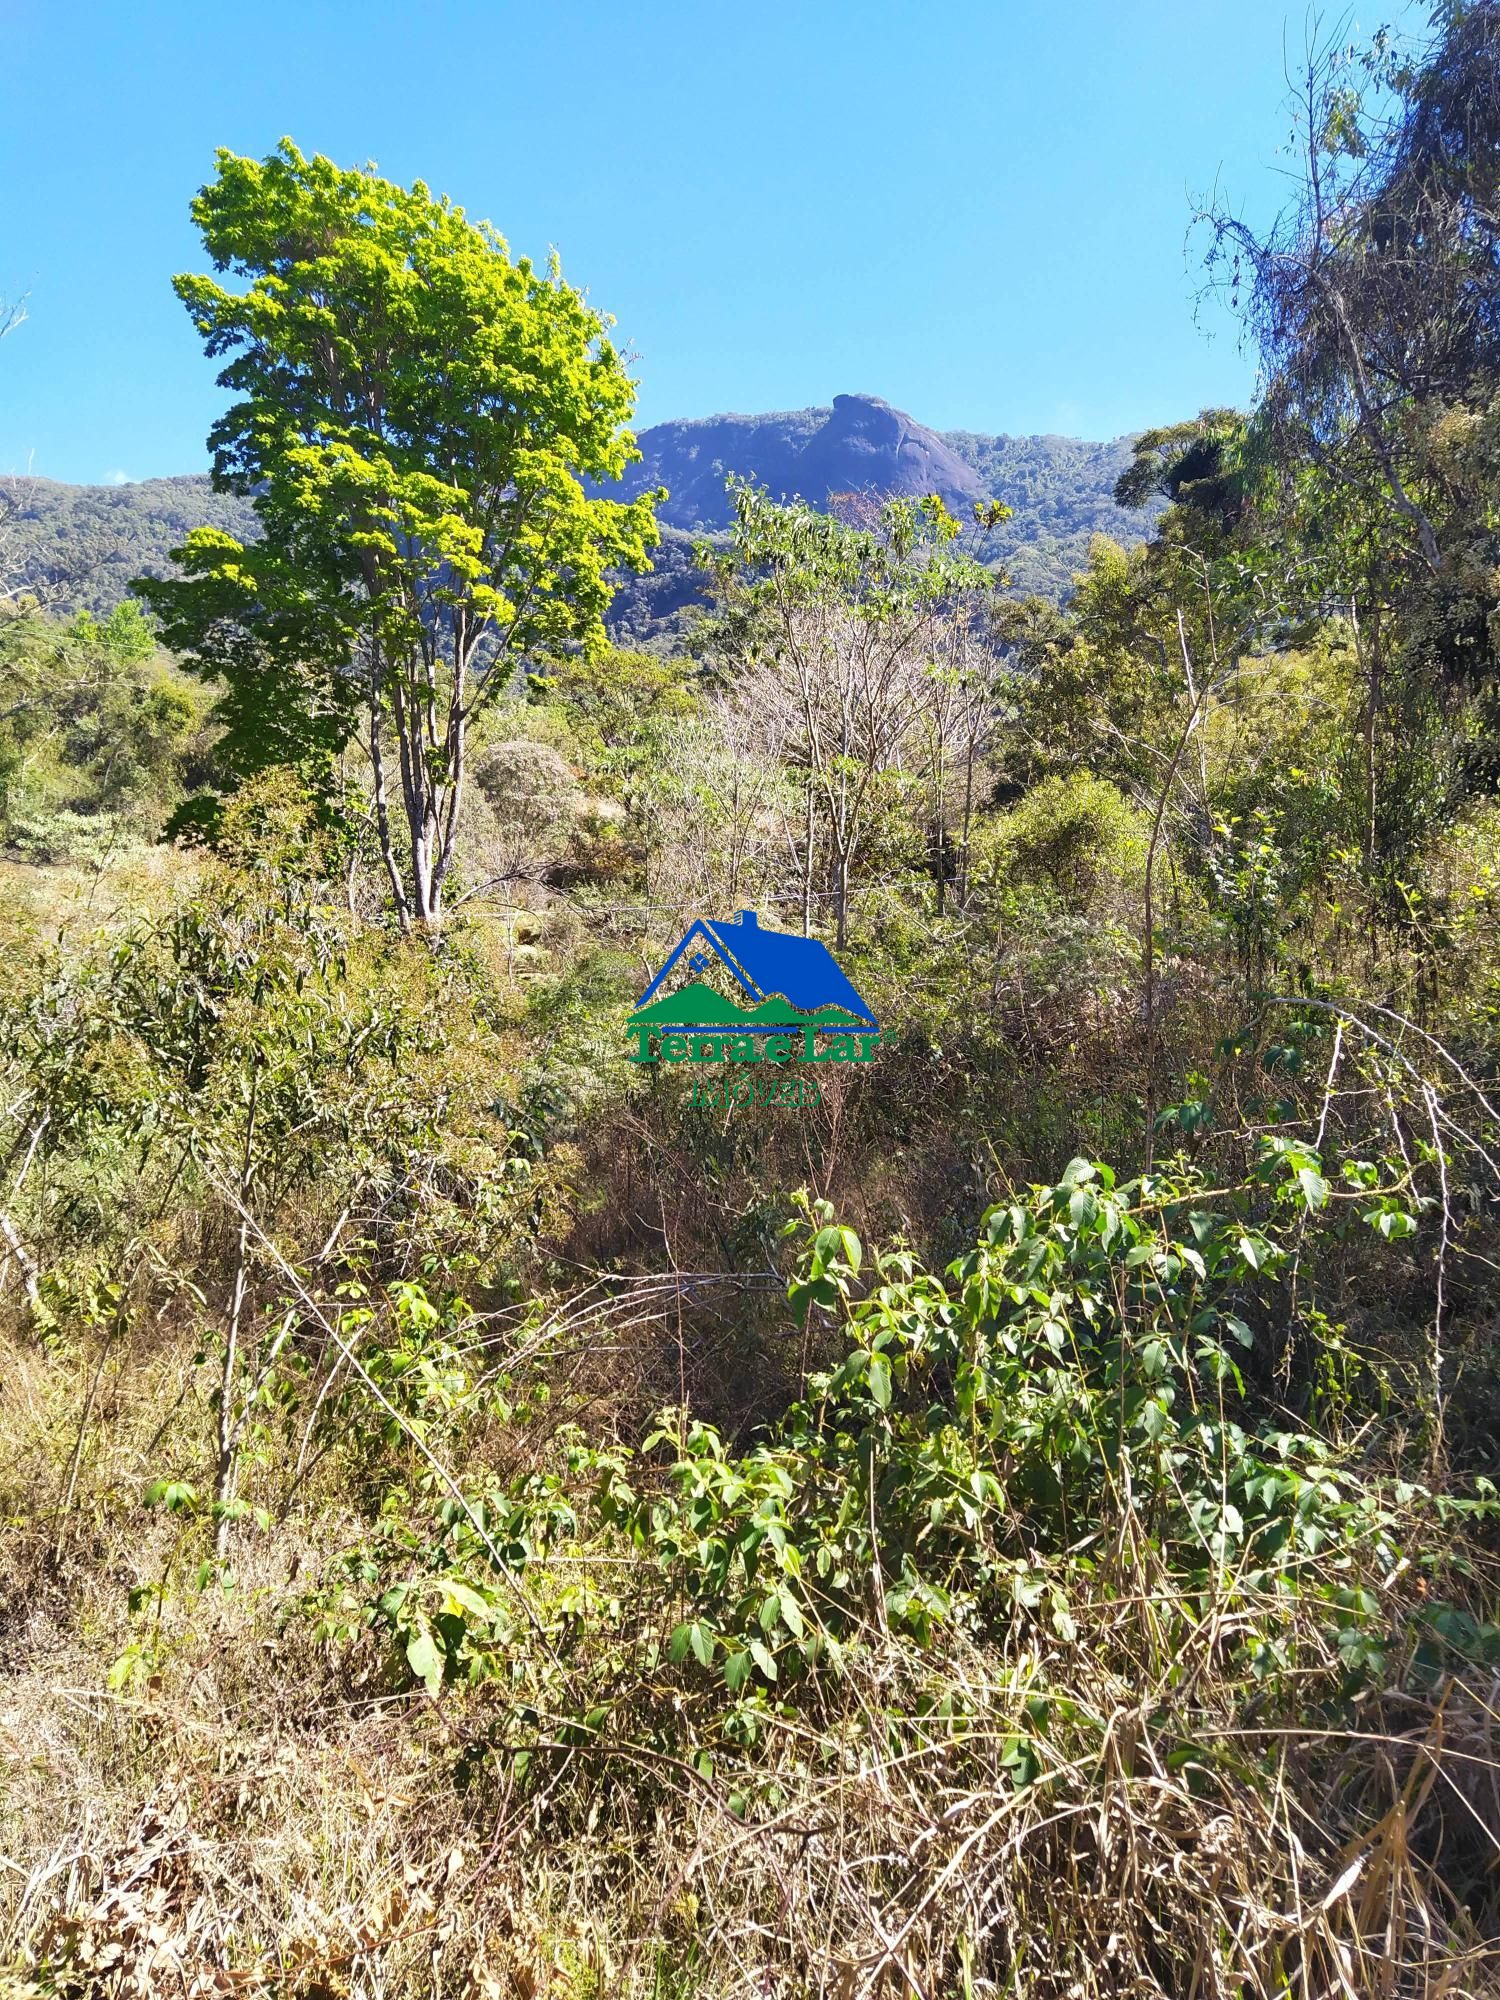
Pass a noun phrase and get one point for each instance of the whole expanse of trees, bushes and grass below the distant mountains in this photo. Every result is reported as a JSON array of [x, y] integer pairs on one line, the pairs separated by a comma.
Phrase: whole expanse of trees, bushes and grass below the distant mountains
[[1017, 1515]]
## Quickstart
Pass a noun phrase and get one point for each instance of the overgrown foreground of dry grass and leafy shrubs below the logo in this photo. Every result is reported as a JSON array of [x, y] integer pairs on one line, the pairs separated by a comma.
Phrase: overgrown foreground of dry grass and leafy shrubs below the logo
[[399, 1601]]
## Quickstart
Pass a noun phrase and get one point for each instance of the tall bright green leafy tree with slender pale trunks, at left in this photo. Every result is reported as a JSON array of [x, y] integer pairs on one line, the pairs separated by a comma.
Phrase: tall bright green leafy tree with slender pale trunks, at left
[[417, 419]]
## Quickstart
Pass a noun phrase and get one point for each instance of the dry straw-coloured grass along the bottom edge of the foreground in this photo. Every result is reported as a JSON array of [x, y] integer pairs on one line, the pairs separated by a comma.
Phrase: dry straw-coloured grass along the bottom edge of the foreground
[[259, 1819]]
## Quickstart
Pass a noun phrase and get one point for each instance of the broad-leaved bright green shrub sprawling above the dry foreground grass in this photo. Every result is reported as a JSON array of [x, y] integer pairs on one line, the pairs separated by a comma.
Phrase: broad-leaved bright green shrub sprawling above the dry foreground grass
[[1061, 1411]]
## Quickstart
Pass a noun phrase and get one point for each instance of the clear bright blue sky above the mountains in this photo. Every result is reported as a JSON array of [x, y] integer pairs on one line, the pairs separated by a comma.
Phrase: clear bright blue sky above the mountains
[[975, 211]]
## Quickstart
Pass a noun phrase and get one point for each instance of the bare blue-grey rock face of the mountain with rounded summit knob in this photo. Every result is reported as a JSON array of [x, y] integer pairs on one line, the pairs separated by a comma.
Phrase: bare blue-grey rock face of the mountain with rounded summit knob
[[863, 447]]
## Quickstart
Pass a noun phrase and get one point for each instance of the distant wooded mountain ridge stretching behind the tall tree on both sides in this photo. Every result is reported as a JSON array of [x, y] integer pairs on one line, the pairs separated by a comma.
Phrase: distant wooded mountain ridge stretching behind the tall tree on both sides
[[79, 547]]
